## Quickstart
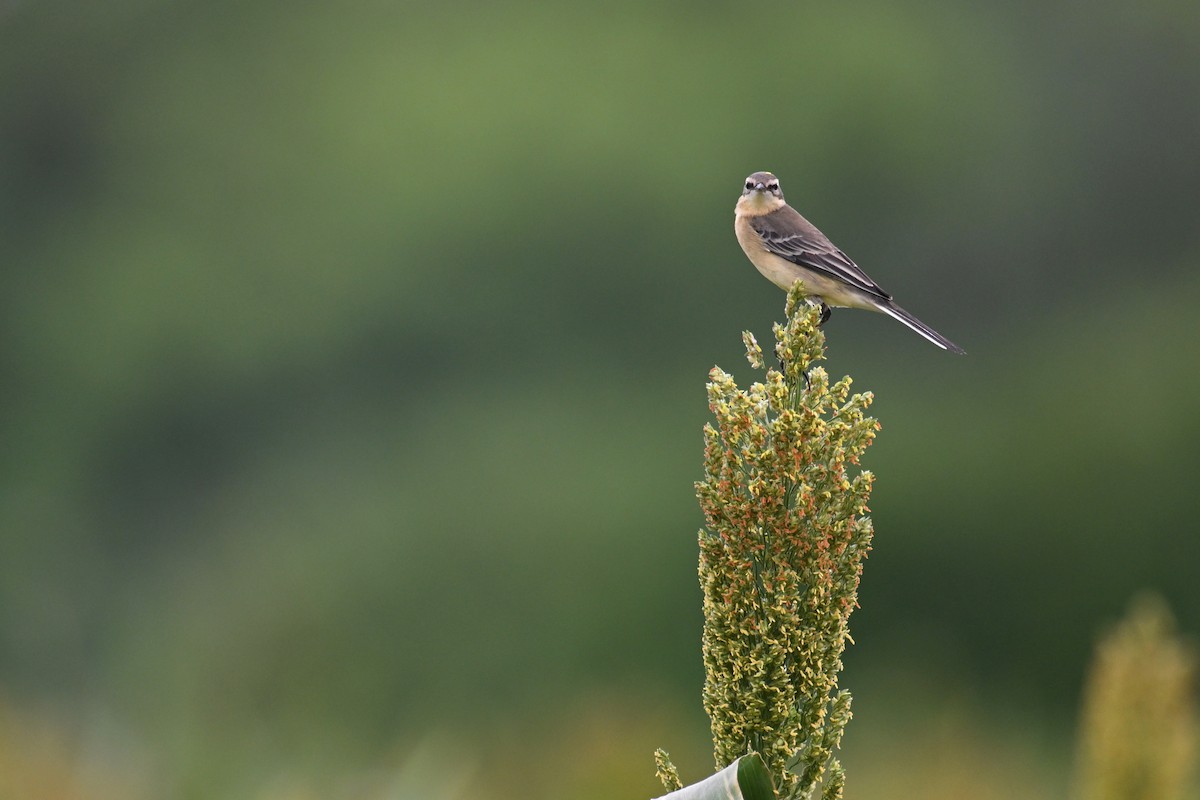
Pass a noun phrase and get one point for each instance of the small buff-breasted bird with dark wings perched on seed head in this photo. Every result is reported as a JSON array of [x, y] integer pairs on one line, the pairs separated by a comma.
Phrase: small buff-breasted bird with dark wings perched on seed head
[[787, 248]]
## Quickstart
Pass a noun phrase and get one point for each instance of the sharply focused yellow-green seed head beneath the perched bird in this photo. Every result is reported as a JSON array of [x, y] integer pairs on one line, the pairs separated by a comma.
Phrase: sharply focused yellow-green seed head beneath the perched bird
[[782, 556]]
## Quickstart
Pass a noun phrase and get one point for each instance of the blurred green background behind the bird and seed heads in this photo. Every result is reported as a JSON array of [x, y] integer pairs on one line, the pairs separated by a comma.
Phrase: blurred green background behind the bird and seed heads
[[353, 369]]
